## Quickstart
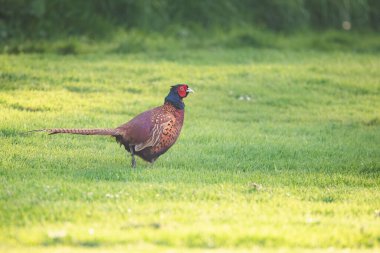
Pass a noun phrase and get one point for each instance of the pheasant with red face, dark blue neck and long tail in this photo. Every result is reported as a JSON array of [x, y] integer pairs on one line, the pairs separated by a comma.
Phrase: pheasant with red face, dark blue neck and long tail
[[149, 134]]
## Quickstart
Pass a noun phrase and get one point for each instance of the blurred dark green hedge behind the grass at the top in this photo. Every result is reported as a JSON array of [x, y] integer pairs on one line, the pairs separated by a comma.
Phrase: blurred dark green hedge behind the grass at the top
[[22, 20]]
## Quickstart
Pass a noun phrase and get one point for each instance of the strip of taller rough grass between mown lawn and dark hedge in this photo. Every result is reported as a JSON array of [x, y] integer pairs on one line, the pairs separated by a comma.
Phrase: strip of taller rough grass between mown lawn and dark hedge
[[136, 41]]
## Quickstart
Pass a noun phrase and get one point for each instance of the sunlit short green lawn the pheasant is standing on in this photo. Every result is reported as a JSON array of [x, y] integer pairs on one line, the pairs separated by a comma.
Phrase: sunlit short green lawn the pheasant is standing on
[[280, 150]]
